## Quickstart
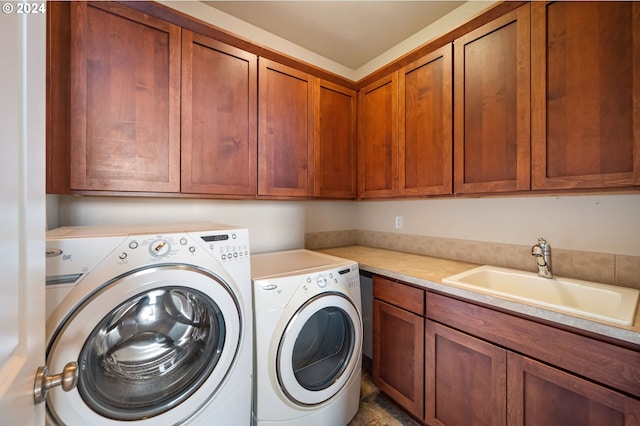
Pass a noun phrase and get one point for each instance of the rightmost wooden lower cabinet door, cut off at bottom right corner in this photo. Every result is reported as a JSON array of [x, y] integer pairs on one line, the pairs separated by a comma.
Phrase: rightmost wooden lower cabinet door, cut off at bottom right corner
[[542, 395]]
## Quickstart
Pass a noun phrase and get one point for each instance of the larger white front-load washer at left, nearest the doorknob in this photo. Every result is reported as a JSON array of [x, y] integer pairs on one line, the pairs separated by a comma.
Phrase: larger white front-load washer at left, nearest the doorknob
[[158, 320]]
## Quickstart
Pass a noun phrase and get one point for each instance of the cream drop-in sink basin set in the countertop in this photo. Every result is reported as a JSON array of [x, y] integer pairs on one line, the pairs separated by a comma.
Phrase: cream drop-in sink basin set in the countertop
[[603, 302]]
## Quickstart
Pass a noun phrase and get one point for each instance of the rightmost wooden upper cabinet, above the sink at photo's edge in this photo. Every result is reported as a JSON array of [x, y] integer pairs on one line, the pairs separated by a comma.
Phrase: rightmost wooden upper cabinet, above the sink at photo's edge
[[585, 85]]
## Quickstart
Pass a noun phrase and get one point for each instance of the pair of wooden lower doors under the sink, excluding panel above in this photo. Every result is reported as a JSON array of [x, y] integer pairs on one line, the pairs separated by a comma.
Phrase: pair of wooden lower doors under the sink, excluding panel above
[[473, 382]]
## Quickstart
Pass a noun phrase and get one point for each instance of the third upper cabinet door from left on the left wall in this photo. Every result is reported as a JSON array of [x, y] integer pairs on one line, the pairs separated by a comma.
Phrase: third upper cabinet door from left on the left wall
[[285, 130]]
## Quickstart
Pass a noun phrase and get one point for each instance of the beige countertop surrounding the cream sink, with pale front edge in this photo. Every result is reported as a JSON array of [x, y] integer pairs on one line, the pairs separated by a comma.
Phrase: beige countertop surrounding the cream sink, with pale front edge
[[428, 272]]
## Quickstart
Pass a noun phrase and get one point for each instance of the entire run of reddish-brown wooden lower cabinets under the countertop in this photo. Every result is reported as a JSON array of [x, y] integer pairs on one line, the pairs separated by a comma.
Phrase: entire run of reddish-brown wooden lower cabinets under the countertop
[[450, 362]]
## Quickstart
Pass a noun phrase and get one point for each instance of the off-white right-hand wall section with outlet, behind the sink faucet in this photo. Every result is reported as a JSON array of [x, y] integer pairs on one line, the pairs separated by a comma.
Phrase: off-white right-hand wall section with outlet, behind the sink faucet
[[595, 223]]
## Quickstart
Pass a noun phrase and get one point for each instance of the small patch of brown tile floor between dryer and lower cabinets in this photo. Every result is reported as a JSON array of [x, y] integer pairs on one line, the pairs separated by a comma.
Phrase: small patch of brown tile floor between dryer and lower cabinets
[[376, 409]]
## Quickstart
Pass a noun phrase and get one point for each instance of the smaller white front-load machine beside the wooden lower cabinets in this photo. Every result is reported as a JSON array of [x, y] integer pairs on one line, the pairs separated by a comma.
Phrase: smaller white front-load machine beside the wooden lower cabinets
[[308, 338]]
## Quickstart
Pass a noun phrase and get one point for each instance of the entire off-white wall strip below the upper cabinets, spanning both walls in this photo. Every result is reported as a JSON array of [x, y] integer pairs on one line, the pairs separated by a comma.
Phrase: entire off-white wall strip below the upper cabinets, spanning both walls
[[595, 223]]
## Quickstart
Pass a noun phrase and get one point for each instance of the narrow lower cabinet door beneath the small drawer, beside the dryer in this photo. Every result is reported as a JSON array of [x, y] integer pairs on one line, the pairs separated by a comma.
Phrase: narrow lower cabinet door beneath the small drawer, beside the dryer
[[398, 355]]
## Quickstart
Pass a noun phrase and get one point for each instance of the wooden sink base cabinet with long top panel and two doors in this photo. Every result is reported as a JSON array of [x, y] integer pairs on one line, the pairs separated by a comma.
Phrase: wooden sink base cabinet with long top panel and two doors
[[474, 376]]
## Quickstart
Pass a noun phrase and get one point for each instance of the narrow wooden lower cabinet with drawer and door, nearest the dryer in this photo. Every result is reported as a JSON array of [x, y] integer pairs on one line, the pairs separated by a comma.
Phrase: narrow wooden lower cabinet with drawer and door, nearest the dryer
[[398, 343]]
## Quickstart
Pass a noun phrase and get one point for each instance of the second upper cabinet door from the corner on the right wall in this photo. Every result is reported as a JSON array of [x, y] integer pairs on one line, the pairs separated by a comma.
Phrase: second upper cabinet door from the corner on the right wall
[[426, 125]]
